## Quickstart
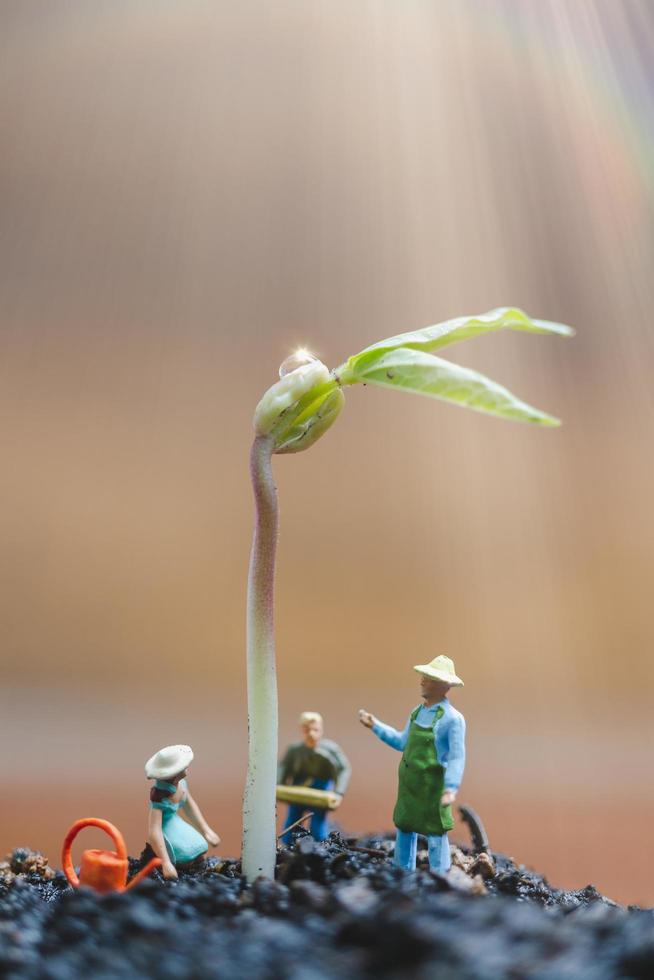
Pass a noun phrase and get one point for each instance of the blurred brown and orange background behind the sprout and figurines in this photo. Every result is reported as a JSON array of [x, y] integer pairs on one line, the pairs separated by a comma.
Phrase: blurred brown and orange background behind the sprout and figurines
[[189, 190]]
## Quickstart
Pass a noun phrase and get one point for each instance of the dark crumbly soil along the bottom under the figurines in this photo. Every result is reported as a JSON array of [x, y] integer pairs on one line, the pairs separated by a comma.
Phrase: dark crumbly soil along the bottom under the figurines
[[332, 912]]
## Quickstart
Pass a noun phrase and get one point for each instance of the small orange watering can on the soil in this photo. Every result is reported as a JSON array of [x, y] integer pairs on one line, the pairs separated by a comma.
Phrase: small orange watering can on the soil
[[105, 871]]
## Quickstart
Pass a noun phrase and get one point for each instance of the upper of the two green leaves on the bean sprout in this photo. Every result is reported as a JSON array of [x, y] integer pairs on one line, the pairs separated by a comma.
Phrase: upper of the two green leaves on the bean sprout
[[442, 334]]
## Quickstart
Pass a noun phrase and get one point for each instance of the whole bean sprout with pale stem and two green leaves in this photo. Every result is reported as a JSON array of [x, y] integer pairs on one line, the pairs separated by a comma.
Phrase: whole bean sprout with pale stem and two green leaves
[[293, 414]]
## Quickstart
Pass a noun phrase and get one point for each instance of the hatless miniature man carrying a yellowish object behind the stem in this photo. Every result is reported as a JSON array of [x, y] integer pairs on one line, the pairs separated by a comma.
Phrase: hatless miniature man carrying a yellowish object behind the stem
[[317, 763]]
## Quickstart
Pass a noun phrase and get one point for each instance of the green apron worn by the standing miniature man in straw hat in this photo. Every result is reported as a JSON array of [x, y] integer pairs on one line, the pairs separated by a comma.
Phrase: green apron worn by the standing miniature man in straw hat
[[421, 784]]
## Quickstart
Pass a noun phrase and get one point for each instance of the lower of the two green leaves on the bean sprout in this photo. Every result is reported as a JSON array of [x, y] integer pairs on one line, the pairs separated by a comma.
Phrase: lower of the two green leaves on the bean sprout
[[413, 370]]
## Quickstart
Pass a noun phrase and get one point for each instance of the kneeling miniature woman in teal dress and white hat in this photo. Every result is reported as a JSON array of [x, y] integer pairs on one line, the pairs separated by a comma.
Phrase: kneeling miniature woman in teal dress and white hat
[[175, 840]]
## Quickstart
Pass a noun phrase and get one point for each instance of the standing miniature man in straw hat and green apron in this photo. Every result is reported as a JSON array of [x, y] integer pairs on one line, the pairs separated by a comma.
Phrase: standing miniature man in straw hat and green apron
[[431, 769]]
